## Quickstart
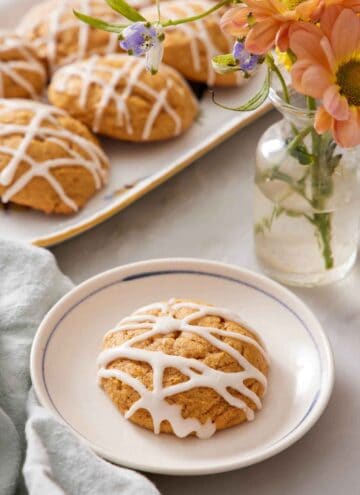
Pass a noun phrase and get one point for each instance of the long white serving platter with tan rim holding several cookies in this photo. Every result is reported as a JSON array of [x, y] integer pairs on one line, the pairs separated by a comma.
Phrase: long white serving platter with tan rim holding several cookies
[[136, 169]]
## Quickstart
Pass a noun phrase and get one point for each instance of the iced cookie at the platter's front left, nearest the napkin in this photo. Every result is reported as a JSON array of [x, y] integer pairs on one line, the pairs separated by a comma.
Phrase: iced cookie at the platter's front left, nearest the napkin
[[48, 160]]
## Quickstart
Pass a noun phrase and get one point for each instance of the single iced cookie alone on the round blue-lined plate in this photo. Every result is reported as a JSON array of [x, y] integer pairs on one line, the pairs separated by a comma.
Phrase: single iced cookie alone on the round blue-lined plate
[[184, 368]]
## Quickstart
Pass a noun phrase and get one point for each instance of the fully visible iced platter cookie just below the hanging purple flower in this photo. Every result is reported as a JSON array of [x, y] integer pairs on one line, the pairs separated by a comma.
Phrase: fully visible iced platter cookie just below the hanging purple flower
[[116, 96]]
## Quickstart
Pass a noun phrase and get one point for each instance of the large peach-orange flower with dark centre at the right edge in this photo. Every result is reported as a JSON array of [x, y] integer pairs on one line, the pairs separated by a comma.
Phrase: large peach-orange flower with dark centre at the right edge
[[328, 69]]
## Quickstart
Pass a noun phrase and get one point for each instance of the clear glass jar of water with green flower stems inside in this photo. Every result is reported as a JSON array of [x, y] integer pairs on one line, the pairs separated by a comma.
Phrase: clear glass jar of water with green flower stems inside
[[306, 224]]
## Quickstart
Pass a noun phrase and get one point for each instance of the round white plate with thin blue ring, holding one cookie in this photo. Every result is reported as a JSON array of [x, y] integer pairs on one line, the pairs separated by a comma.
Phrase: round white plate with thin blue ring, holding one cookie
[[63, 364]]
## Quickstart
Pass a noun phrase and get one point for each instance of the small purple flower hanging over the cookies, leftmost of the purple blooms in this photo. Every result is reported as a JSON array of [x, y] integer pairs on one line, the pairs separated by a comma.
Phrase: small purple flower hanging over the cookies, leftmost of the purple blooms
[[139, 38]]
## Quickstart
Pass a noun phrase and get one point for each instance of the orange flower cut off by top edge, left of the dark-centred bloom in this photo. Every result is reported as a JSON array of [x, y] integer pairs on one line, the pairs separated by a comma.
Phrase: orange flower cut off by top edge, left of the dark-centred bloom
[[266, 23]]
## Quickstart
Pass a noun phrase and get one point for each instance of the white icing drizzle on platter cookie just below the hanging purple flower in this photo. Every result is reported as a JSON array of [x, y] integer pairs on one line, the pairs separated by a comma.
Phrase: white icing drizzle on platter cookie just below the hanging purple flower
[[92, 72]]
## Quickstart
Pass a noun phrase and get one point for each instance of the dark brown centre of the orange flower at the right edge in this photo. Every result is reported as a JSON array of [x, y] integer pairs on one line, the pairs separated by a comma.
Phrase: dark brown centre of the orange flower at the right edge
[[348, 79]]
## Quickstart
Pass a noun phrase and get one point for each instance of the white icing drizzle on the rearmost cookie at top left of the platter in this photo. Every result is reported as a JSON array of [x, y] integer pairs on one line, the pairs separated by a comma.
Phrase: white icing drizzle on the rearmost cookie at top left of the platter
[[57, 25]]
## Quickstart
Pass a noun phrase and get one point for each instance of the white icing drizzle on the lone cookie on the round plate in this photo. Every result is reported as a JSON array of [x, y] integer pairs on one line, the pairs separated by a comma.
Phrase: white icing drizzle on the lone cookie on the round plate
[[198, 373]]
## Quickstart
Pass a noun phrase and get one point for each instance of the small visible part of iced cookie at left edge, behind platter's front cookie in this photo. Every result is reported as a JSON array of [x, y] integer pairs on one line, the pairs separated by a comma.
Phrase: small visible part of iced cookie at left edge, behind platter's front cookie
[[22, 74]]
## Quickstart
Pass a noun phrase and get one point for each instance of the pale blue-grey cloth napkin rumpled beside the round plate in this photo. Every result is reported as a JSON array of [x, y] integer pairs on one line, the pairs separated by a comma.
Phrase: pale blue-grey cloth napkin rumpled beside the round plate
[[55, 462]]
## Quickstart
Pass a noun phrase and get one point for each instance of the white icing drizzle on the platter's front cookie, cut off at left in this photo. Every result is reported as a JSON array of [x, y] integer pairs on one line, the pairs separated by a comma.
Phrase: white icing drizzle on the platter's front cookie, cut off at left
[[44, 126]]
